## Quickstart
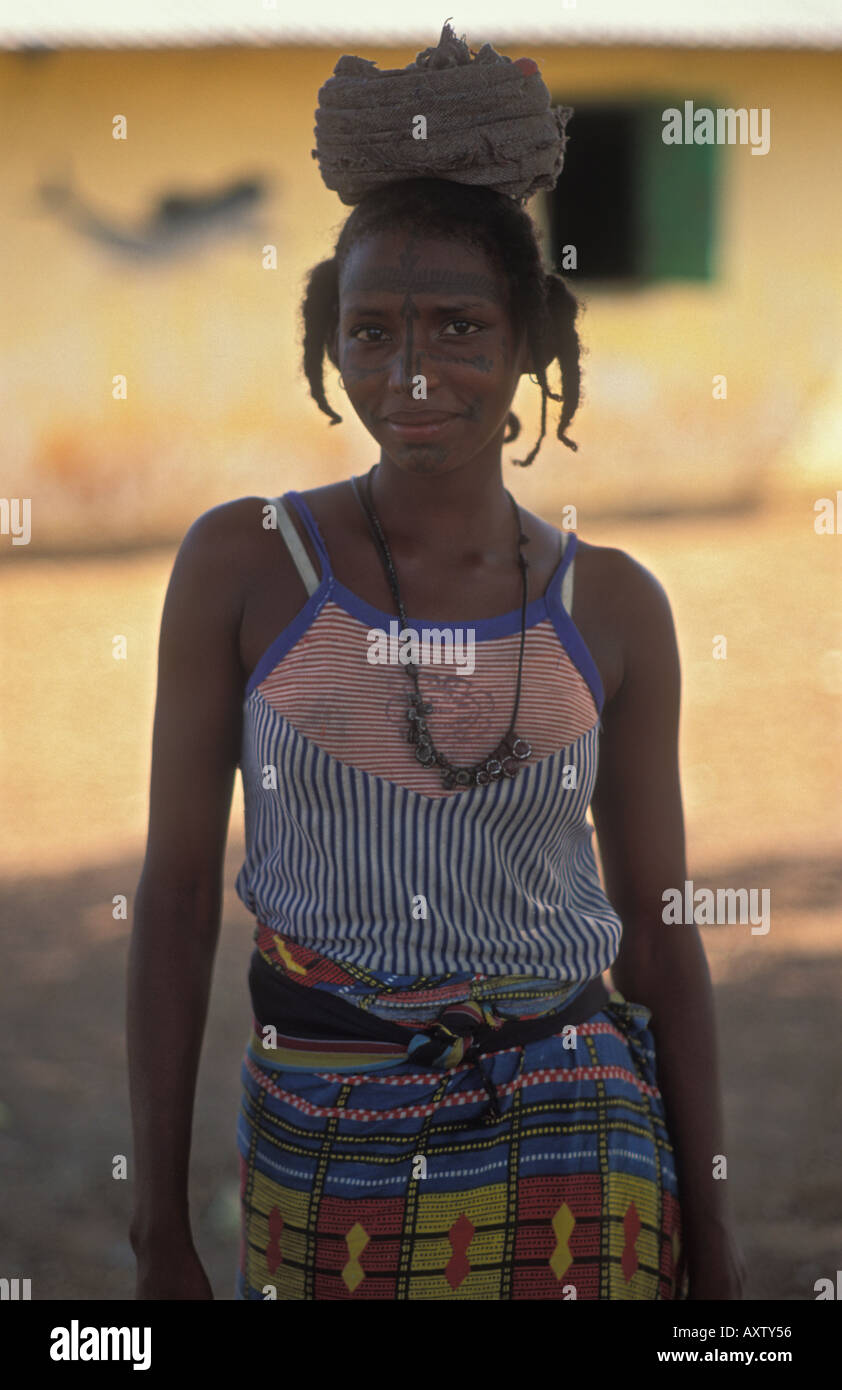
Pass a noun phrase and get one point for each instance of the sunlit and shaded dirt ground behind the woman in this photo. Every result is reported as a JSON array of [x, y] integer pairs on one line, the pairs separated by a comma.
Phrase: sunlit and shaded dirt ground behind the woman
[[762, 769]]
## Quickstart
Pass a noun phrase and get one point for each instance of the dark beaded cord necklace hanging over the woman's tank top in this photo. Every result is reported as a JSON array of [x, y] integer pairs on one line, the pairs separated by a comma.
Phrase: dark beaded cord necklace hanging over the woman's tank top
[[512, 750]]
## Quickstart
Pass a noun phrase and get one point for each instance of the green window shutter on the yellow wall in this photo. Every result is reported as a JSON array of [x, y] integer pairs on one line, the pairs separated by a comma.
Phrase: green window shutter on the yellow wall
[[677, 198]]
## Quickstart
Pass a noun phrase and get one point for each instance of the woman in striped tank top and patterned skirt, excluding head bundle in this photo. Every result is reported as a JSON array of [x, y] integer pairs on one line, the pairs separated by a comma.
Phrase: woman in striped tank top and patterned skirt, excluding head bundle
[[441, 1099]]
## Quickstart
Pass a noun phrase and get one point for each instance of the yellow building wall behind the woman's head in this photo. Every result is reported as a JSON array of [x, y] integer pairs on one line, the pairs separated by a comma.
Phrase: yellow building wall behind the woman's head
[[210, 343]]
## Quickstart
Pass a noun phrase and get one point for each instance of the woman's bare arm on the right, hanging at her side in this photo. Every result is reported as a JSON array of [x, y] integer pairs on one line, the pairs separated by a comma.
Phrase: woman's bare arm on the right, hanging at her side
[[640, 824]]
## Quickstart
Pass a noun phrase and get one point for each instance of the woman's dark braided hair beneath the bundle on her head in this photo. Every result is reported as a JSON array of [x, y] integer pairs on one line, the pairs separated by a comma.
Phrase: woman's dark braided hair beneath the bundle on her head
[[540, 301]]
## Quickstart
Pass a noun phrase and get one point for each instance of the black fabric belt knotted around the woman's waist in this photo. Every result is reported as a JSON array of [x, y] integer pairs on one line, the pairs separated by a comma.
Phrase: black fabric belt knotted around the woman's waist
[[308, 1013]]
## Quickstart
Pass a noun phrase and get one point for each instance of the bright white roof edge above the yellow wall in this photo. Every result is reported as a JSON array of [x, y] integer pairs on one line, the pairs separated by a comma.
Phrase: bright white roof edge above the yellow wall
[[167, 24]]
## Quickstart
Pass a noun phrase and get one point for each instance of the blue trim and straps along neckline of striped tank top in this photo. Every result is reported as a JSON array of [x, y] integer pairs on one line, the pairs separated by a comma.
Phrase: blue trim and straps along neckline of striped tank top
[[548, 605]]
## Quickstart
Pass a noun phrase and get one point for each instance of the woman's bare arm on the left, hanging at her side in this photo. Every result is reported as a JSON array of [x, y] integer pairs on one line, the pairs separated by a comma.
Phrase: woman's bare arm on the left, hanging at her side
[[197, 744]]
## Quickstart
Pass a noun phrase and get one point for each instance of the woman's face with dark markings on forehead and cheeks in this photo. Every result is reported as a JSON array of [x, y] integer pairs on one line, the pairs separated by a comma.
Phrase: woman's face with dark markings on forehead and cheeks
[[426, 332]]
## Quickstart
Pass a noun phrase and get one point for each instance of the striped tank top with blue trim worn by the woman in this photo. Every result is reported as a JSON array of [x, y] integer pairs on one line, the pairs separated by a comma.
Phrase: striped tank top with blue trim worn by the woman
[[356, 853]]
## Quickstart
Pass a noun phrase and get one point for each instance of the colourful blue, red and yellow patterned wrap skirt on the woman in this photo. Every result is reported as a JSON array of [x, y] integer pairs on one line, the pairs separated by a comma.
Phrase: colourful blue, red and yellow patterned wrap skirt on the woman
[[369, 1175]]
